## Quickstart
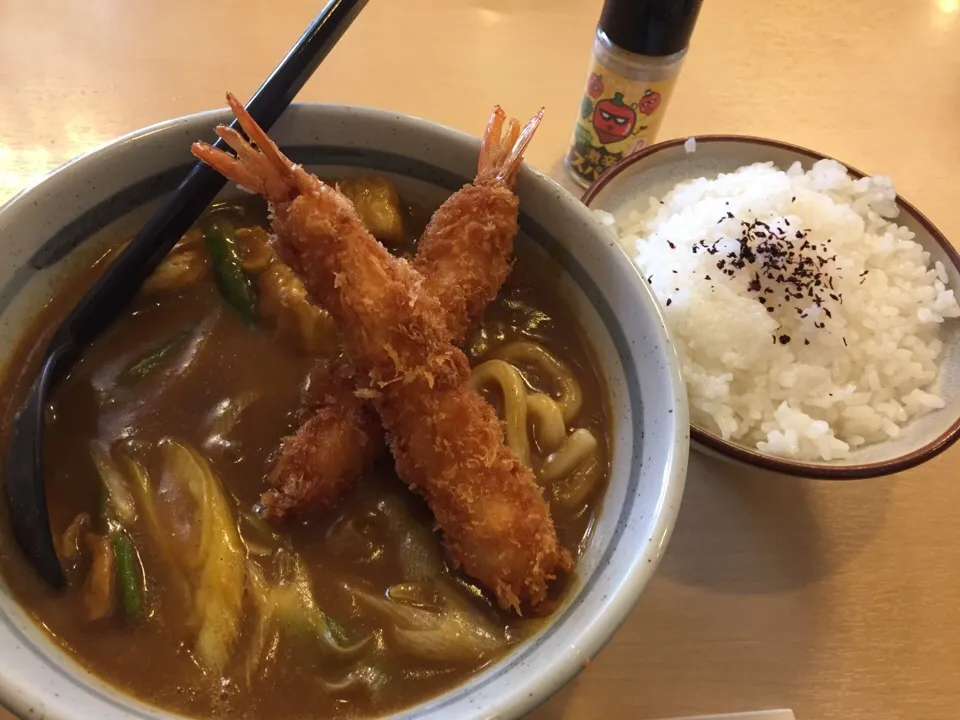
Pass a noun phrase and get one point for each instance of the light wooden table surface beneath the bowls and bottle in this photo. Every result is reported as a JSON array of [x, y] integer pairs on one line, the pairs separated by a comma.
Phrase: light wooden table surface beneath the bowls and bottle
[[839, 600]]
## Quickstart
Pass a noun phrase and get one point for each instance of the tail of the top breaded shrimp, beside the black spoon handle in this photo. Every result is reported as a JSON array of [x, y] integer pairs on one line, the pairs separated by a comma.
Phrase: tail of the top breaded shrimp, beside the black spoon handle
[[258, 166]]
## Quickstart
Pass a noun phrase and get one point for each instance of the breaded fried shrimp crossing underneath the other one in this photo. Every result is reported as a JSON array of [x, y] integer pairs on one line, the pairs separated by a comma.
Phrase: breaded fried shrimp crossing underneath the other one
[[464, 254]]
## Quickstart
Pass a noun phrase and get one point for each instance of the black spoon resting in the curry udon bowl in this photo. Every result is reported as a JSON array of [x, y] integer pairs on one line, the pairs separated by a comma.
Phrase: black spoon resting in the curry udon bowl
[[23, 470]]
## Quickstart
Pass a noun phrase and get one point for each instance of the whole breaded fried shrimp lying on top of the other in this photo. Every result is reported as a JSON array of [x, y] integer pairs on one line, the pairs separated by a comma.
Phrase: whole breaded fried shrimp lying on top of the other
[[446, 440]]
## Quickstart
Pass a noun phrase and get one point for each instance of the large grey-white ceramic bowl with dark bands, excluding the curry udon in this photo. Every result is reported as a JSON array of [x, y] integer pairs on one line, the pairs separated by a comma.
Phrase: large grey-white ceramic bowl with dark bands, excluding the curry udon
[[57, 225]]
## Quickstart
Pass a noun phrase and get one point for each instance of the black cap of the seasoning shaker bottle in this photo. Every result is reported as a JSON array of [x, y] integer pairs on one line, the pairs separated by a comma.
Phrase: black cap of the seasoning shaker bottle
[[650, 27]]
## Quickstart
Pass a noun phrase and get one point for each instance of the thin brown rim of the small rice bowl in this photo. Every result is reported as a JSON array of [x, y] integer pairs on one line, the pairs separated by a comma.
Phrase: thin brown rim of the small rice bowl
[[751, 456]]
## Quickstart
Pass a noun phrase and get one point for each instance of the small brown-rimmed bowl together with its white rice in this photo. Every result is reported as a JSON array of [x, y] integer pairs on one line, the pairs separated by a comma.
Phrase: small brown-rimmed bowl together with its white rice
[[813, 310]]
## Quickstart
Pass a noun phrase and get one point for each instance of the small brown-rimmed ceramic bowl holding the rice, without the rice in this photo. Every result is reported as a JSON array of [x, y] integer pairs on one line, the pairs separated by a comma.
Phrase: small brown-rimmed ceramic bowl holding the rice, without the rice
[[654, 171]]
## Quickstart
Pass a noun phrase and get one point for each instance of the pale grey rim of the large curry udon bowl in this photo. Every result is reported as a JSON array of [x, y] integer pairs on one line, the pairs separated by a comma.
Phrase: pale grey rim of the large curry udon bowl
[[588, 640]]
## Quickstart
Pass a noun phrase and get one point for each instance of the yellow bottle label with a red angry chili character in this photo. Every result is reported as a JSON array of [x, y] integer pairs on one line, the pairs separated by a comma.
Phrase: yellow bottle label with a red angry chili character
[[617, 117]]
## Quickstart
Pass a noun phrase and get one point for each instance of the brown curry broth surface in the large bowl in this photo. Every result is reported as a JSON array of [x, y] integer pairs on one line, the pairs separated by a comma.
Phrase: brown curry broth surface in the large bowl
[[151, 658]]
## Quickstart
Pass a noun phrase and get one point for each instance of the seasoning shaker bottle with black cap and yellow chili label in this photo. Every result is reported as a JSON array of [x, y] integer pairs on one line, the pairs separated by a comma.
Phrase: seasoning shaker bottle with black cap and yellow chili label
[[638, 49]]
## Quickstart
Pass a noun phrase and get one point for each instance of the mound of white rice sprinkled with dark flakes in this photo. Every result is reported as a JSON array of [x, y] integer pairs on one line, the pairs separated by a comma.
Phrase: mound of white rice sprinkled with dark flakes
[[804, 381]]
